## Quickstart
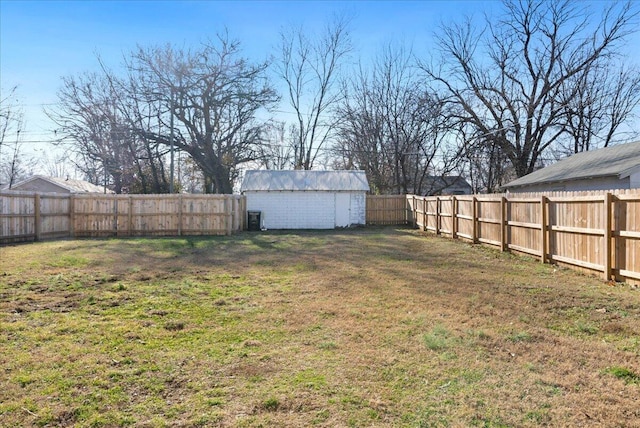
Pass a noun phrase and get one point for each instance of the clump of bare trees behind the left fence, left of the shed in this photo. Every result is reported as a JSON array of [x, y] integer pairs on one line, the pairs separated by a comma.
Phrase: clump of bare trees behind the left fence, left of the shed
[[202, 102]]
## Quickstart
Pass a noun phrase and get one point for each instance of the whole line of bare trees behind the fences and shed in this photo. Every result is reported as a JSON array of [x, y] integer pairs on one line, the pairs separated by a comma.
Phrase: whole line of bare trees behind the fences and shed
[[497, 99]]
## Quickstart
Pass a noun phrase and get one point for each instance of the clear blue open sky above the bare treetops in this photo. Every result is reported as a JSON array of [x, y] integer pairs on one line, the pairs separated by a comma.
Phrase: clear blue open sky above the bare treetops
[[42, 41]]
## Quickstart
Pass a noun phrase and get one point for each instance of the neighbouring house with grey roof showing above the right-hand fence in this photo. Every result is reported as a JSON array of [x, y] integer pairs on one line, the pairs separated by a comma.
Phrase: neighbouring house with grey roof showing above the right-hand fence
[[615, 167]]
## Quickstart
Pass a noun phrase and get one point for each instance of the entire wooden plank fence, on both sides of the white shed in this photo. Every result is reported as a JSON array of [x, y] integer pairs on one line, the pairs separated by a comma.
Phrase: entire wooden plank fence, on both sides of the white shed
[[593, 231]]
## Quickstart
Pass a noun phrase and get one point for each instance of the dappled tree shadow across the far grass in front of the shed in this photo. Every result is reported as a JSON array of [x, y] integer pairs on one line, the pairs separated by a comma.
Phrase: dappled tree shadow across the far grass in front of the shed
[[247, 247]]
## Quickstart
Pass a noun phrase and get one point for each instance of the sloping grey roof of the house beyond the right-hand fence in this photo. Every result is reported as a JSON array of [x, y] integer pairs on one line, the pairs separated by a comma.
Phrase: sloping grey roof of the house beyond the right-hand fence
[[618, 161]]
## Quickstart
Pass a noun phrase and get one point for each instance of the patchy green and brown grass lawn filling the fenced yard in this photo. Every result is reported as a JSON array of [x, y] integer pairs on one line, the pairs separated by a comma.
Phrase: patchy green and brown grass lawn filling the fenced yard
[[366, 327]]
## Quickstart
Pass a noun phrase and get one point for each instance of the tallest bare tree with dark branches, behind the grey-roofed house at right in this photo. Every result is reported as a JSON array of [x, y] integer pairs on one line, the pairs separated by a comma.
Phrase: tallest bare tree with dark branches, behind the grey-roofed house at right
[[509, 81]]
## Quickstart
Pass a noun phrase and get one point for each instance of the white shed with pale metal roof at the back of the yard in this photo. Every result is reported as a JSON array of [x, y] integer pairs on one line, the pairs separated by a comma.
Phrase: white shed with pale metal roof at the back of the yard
[[306, 199]]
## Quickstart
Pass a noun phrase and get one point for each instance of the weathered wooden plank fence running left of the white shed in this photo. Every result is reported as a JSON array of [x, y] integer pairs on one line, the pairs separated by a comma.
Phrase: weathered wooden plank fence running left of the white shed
[[34, 216]]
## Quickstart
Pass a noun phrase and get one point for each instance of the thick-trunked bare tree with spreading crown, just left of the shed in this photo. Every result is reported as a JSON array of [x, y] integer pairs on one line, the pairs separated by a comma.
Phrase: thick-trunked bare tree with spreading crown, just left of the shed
[[214, 96]]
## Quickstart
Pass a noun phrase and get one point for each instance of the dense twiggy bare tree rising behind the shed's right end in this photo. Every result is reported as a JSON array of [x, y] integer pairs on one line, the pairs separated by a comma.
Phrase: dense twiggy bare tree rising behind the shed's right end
[[393, 127]]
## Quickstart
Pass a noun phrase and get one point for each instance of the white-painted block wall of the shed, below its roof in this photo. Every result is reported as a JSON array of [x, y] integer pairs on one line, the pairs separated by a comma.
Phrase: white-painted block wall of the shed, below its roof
[[307, 210]]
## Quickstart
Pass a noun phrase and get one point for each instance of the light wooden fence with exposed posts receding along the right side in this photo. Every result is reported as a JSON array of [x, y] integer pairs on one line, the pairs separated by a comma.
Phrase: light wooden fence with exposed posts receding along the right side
[[595, 231]]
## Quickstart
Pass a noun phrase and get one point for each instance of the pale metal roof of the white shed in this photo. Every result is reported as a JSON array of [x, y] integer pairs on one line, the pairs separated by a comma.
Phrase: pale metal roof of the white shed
[[298, 180]]
